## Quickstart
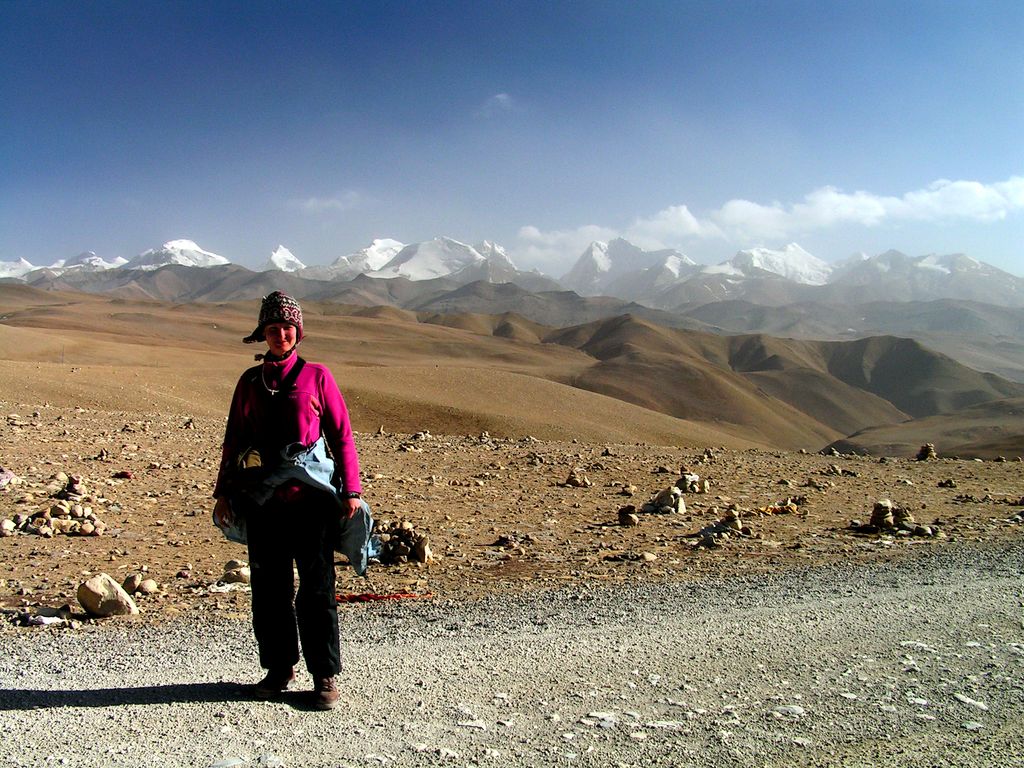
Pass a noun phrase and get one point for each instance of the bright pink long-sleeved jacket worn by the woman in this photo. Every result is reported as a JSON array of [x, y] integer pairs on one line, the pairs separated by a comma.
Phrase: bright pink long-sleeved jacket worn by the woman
[[269, 422]]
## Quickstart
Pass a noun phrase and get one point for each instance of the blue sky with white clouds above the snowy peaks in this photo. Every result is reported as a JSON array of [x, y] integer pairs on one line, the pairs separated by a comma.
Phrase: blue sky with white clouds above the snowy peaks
[[707, 127]]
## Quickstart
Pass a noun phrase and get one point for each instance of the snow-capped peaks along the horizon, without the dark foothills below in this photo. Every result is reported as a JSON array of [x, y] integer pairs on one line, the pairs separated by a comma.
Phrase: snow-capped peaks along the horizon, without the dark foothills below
[[661, 280]]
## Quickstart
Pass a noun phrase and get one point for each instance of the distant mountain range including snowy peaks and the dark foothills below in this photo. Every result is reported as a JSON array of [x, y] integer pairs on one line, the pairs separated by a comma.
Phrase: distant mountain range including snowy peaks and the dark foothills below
[[955, 305]]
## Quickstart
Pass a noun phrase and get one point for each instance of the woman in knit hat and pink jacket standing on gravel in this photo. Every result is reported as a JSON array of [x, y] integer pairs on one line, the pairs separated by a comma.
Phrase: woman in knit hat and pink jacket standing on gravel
[[284, 413]]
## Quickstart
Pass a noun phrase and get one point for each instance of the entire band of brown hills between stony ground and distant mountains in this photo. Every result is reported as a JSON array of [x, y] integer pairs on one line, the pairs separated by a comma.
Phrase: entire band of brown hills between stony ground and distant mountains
[[625, 376]]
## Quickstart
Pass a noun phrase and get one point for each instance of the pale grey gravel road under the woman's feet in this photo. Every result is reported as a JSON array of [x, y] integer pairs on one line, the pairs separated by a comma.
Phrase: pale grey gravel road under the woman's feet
[[916, 665]]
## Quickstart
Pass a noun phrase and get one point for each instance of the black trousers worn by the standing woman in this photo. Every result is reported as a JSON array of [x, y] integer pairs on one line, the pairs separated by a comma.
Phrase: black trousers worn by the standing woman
[[304, 533]]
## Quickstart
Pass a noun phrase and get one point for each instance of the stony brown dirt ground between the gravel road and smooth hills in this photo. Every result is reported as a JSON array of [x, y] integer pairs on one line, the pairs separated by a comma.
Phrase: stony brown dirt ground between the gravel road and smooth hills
[[497, 511]]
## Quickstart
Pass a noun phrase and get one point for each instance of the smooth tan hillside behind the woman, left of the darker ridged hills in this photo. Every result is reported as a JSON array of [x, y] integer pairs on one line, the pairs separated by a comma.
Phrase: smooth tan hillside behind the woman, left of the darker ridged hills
[[115, 355]]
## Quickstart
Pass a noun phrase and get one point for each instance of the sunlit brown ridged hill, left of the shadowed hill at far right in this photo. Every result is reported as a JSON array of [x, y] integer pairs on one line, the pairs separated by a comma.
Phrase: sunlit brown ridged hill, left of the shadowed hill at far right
[[771, 388]]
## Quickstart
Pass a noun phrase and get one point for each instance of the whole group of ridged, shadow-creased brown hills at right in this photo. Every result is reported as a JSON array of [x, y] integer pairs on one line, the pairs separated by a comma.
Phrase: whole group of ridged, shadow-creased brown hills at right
[[835, 387]]
